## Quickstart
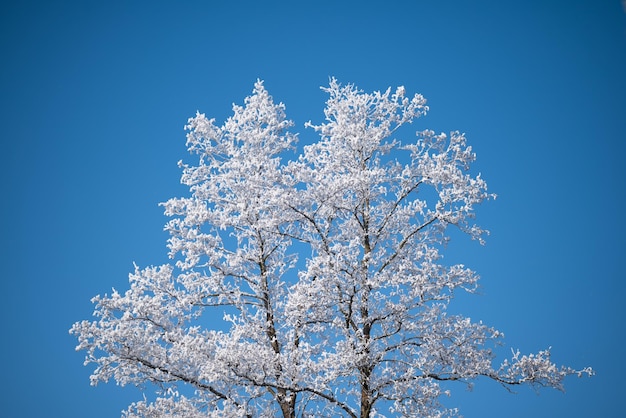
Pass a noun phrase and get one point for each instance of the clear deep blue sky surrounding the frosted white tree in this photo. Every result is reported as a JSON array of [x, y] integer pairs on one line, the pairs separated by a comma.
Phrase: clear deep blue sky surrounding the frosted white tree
[[94, 97]]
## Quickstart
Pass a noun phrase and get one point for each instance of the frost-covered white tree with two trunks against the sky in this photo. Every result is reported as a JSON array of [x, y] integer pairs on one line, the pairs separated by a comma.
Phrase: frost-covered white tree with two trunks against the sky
[[326, 269]]
